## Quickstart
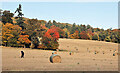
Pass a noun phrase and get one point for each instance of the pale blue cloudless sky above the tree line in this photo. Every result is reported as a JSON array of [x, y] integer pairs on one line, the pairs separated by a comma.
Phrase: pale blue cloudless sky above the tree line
[[97, 14]]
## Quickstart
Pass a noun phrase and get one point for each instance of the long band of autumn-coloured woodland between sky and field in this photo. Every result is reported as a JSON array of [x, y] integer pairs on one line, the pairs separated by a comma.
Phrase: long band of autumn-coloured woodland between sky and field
[[36, 33]]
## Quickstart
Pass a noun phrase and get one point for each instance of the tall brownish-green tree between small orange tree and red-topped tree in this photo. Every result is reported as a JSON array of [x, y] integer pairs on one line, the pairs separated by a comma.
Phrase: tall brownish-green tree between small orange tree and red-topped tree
[[33, 30]]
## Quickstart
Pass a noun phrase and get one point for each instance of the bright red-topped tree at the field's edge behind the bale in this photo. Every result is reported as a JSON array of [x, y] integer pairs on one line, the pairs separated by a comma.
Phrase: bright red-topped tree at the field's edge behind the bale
[[50, 39]]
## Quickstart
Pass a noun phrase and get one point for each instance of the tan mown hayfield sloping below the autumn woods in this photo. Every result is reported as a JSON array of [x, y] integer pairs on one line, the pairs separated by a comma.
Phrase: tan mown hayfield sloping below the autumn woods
[[83, 59]]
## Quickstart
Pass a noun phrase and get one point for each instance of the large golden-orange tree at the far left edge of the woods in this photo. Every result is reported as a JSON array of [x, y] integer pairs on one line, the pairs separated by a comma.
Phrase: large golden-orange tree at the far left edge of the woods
[[10, 34]]
